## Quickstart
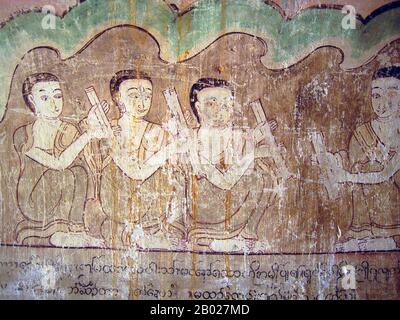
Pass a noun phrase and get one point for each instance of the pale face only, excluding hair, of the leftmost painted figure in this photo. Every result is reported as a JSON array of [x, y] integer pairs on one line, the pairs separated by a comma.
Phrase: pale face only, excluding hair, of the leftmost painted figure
[[47, 99]]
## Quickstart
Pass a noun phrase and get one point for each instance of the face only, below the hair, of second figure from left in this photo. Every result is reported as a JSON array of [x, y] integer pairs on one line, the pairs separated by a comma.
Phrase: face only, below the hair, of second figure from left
[[135, 97]]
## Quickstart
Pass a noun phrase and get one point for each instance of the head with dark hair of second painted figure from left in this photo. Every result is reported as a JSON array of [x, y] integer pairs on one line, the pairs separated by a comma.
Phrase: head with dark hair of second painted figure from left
[[132, 91]]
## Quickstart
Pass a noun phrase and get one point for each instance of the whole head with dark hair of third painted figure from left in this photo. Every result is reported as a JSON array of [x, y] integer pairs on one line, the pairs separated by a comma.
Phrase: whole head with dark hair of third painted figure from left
[[212, 102]]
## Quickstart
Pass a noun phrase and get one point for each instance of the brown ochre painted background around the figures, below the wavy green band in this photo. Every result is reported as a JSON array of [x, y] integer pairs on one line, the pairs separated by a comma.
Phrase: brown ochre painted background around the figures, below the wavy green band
[[315, 94]]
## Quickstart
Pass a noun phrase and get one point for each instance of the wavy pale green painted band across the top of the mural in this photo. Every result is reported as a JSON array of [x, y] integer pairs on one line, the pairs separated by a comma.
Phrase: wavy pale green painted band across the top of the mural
[[181, 37]]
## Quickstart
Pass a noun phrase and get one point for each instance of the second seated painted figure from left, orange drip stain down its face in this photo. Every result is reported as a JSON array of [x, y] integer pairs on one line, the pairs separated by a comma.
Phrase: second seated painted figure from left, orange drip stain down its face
[[138, 188]]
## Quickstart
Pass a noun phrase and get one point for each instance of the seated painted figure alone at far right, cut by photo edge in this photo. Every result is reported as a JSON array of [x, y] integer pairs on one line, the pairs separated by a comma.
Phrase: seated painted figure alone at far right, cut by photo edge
[[373, 166]]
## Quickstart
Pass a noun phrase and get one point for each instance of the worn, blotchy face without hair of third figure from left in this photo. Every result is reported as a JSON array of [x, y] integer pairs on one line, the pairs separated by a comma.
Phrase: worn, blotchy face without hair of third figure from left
[[215, 106]]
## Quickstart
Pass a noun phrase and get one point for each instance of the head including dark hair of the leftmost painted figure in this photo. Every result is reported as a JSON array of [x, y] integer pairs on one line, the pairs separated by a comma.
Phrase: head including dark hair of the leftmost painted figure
[[42, 94]]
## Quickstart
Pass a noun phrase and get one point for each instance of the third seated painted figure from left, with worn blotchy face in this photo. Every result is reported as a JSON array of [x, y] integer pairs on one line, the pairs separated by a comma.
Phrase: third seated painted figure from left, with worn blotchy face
[[230, 186]]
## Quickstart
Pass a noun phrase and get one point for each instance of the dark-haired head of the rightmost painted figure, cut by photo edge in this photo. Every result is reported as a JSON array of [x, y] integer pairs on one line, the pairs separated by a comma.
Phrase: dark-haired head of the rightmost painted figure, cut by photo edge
[[386, 92]]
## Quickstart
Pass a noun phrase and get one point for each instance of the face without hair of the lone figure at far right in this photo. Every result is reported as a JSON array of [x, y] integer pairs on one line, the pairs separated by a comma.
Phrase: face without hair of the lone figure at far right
[[386, 97]]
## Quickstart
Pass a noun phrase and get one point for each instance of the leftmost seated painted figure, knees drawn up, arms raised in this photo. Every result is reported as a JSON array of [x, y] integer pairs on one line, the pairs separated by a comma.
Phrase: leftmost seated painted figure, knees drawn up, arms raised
[[52, 184]]
